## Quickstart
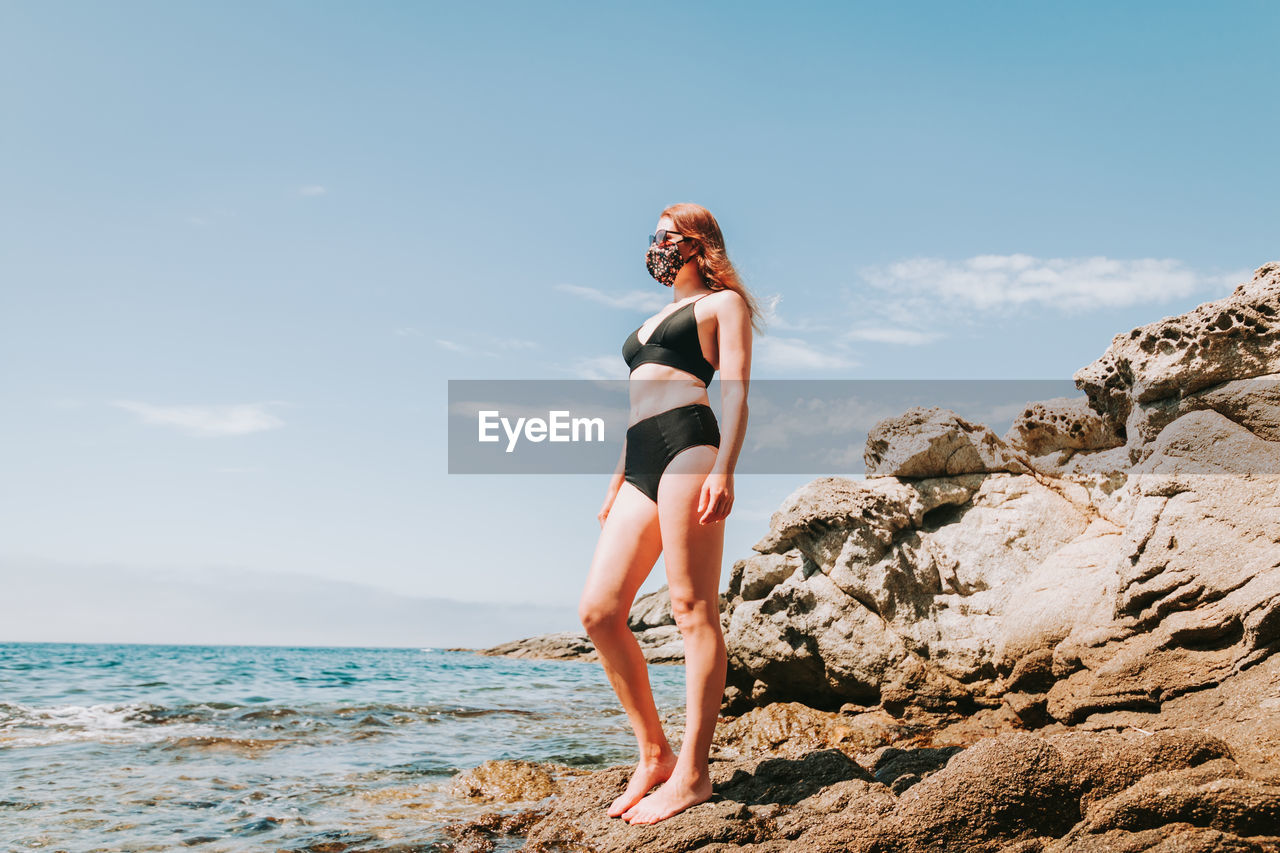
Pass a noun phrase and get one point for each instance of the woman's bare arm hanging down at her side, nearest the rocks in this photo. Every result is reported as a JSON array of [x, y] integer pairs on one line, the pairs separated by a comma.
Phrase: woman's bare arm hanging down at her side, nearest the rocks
[[734, 340]]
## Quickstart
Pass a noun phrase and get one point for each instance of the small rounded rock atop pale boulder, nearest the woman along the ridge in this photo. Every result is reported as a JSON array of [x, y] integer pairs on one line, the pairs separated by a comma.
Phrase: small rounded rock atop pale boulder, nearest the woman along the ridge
[[936, 443]]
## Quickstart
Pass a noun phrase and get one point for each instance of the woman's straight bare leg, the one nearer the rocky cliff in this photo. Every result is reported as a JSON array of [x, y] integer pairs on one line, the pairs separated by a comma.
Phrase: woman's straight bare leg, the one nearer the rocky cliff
[[693, 554]]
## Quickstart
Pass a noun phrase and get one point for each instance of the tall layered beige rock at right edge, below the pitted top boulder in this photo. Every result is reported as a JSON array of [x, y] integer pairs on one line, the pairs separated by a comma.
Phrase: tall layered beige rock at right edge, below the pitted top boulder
[[1199, 592]]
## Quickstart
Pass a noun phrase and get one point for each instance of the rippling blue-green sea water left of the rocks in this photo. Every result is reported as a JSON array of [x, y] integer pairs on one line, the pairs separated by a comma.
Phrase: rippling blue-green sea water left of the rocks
[[240, 749]]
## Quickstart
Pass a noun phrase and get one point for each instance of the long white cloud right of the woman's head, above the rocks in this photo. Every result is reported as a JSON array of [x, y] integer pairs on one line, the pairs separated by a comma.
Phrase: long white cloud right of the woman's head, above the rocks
[[1014, 281]]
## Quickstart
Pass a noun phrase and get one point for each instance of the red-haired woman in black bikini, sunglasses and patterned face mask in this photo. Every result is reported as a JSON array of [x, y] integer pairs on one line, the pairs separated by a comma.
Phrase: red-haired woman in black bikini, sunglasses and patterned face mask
[[670, 495]]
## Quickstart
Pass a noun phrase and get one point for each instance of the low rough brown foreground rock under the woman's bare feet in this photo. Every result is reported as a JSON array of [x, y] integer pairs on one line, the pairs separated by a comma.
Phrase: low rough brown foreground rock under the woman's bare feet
[[1016, 792]]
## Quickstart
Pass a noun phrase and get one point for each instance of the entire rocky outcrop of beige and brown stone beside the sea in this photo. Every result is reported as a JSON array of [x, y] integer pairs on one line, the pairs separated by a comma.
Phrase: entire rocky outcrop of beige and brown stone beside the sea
[[1058, 640]]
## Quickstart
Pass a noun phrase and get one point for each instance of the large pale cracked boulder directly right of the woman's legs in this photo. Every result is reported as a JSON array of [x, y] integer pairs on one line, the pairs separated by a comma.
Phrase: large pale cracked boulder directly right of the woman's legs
[[895, 591]]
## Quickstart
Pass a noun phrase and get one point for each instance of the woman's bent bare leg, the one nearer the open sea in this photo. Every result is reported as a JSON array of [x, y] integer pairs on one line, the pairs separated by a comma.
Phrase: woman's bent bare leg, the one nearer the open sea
[[625, 555]]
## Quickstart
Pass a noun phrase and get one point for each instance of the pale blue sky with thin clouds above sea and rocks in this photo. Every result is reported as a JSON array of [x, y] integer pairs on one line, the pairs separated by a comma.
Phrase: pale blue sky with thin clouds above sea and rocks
[[245, 247]]
